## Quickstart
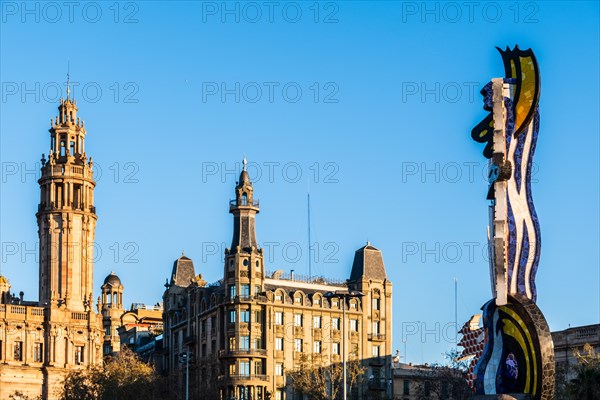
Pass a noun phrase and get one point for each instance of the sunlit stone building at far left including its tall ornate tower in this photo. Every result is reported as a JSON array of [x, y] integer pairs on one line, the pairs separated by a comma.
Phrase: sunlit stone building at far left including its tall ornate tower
[[40, 341]]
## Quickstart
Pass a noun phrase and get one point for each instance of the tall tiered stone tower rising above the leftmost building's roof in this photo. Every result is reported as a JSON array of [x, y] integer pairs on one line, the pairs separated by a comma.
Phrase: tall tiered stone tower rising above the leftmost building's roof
[[66, 214]]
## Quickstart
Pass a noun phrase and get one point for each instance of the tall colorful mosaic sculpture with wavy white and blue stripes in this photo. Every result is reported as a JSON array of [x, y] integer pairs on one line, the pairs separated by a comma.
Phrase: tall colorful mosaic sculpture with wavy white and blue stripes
[[518, 354]]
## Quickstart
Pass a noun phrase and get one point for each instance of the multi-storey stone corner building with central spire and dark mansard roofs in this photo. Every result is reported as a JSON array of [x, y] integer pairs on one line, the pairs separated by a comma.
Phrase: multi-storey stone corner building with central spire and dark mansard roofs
[[244, 332]]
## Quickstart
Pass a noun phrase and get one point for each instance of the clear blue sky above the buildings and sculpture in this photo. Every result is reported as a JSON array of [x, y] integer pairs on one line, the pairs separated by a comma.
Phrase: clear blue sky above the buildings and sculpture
[[388, 130]]
